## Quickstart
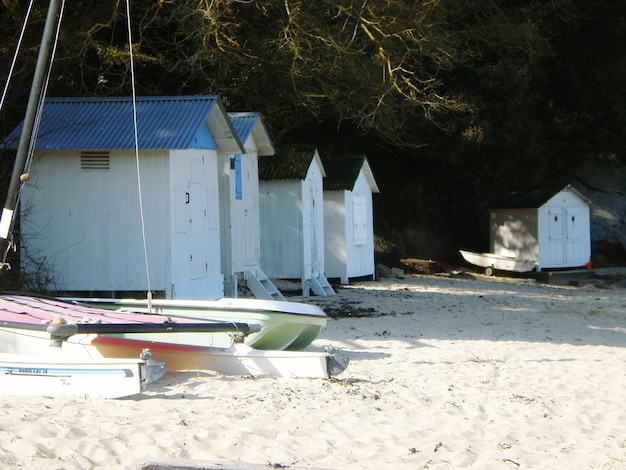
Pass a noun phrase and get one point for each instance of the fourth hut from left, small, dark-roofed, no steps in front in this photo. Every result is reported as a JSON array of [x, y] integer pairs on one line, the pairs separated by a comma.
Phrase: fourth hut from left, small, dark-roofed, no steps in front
[[349, 218]]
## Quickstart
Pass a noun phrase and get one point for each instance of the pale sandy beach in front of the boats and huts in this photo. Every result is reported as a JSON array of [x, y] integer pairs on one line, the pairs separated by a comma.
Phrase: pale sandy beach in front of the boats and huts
[[446, 372]]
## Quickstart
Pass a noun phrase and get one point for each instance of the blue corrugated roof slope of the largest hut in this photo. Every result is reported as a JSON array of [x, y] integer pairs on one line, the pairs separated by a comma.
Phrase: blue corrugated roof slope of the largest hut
[[164, 122]]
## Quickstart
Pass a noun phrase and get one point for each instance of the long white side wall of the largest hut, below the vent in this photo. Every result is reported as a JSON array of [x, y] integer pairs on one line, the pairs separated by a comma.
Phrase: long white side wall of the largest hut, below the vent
[[86, 224]]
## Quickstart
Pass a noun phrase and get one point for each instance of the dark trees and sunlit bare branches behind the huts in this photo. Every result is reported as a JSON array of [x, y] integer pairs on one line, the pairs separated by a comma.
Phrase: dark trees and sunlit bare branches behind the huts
[[452, 101]]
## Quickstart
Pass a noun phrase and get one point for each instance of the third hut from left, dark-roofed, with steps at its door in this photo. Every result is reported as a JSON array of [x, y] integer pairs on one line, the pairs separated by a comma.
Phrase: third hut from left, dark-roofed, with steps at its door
[[292, 217]]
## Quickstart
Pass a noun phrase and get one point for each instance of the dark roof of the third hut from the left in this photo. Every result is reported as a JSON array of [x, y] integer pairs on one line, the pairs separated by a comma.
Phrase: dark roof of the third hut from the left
[[289, 162]]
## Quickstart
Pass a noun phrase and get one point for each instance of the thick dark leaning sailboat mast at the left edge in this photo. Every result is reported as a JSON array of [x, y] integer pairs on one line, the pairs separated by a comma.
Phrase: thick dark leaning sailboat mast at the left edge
[[43, 62]]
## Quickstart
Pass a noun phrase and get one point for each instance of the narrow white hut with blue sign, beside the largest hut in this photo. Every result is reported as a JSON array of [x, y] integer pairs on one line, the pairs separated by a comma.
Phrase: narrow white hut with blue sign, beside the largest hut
[[239, 209]]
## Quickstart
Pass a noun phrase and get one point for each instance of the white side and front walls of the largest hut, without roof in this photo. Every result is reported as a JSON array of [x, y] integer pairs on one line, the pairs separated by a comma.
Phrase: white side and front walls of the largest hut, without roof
[[87, 224]]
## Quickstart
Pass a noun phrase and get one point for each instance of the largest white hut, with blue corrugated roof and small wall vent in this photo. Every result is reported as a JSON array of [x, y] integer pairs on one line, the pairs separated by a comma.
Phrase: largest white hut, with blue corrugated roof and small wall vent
[[80, 214]]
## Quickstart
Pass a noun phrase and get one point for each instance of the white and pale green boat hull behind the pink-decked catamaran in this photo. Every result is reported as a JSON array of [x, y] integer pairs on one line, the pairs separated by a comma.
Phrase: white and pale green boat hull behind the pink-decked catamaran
[[284, 325]]
